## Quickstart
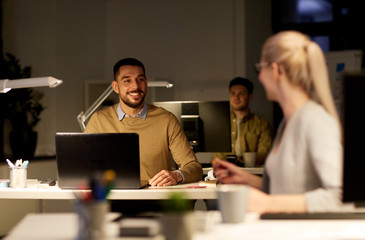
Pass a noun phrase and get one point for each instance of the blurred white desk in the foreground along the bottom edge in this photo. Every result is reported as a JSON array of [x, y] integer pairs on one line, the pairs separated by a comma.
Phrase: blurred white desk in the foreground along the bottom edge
[[64, 227]]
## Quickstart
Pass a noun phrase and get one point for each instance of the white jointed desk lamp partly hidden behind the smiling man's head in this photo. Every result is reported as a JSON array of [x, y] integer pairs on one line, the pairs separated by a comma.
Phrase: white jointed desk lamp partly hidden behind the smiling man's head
[[83, 116]]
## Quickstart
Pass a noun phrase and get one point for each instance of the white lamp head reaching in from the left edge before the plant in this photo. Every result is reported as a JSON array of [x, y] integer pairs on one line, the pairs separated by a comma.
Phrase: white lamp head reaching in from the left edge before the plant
[[6, 84]]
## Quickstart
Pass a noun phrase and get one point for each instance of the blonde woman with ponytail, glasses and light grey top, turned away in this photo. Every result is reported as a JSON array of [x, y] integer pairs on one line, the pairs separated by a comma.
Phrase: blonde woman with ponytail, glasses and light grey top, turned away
[[303, 172]]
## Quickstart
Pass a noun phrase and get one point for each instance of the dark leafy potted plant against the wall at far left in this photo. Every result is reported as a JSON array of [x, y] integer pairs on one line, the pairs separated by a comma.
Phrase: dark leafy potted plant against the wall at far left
[[22, 107]]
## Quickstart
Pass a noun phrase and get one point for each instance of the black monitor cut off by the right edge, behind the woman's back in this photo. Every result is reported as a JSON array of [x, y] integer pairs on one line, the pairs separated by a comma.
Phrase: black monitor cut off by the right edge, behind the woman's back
[[354, 138]]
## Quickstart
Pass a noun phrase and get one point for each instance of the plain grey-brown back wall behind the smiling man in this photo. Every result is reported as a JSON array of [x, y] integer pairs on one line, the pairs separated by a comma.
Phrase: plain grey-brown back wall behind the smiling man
[[198, 45]]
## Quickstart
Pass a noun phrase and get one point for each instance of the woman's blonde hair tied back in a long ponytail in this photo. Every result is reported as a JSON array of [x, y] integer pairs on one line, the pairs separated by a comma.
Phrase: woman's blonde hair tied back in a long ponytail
[[304, 63]]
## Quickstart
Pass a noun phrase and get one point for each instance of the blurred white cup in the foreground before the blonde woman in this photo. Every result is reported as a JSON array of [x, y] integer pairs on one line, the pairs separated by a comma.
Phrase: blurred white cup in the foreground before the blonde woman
[[232, 202]]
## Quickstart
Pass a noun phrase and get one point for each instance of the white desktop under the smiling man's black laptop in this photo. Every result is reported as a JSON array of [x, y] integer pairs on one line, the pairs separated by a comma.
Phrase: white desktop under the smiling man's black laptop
[[208, 191]]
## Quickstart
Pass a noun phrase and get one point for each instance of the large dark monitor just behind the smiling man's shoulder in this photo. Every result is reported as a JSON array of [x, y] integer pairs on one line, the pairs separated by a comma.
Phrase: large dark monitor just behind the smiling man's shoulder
[[207, 125]]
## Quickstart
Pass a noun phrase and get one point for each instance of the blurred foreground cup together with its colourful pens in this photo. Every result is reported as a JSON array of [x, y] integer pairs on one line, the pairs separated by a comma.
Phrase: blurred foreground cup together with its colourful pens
[[92, 206]]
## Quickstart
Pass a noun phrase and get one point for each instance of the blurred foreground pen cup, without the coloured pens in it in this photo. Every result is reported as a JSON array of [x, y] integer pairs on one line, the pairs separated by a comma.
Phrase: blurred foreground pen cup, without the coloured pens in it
[[91, 219]]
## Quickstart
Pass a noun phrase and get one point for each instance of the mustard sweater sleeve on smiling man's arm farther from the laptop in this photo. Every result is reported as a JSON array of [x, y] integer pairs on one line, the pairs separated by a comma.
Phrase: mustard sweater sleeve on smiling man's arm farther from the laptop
[[182, 152]]
